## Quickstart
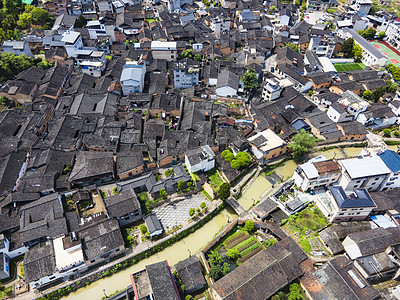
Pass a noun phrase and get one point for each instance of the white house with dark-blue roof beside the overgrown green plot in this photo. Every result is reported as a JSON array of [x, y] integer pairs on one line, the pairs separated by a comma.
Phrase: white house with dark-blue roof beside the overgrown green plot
[[339, 206]]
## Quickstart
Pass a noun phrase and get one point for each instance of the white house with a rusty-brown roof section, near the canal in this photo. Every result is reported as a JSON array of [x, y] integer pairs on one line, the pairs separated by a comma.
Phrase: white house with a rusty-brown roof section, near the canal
[[318, 172]]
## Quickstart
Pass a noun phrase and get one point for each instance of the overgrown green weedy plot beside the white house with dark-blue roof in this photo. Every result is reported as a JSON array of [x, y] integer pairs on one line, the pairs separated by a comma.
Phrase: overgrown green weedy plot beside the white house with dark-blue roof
[[305, 225]]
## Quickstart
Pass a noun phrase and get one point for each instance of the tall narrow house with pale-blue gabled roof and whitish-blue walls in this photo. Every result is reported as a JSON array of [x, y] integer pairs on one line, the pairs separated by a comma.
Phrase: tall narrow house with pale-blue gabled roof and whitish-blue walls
[[132, 77]]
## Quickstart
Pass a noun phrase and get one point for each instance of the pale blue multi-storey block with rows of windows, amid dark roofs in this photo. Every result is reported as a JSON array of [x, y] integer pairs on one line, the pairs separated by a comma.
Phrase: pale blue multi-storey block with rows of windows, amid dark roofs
[[186, 74]]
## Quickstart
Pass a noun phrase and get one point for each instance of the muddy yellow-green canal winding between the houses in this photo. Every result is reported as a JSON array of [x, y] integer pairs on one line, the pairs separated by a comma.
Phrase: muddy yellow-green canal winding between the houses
[[197, 240]]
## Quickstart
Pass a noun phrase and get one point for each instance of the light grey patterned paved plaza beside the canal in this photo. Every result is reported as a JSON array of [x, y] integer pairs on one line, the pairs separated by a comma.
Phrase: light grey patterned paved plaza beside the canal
[[178, 213]]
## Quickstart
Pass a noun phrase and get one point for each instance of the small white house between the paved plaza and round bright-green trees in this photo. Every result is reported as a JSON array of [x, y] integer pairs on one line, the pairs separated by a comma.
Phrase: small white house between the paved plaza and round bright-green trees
[[201, 159]]
